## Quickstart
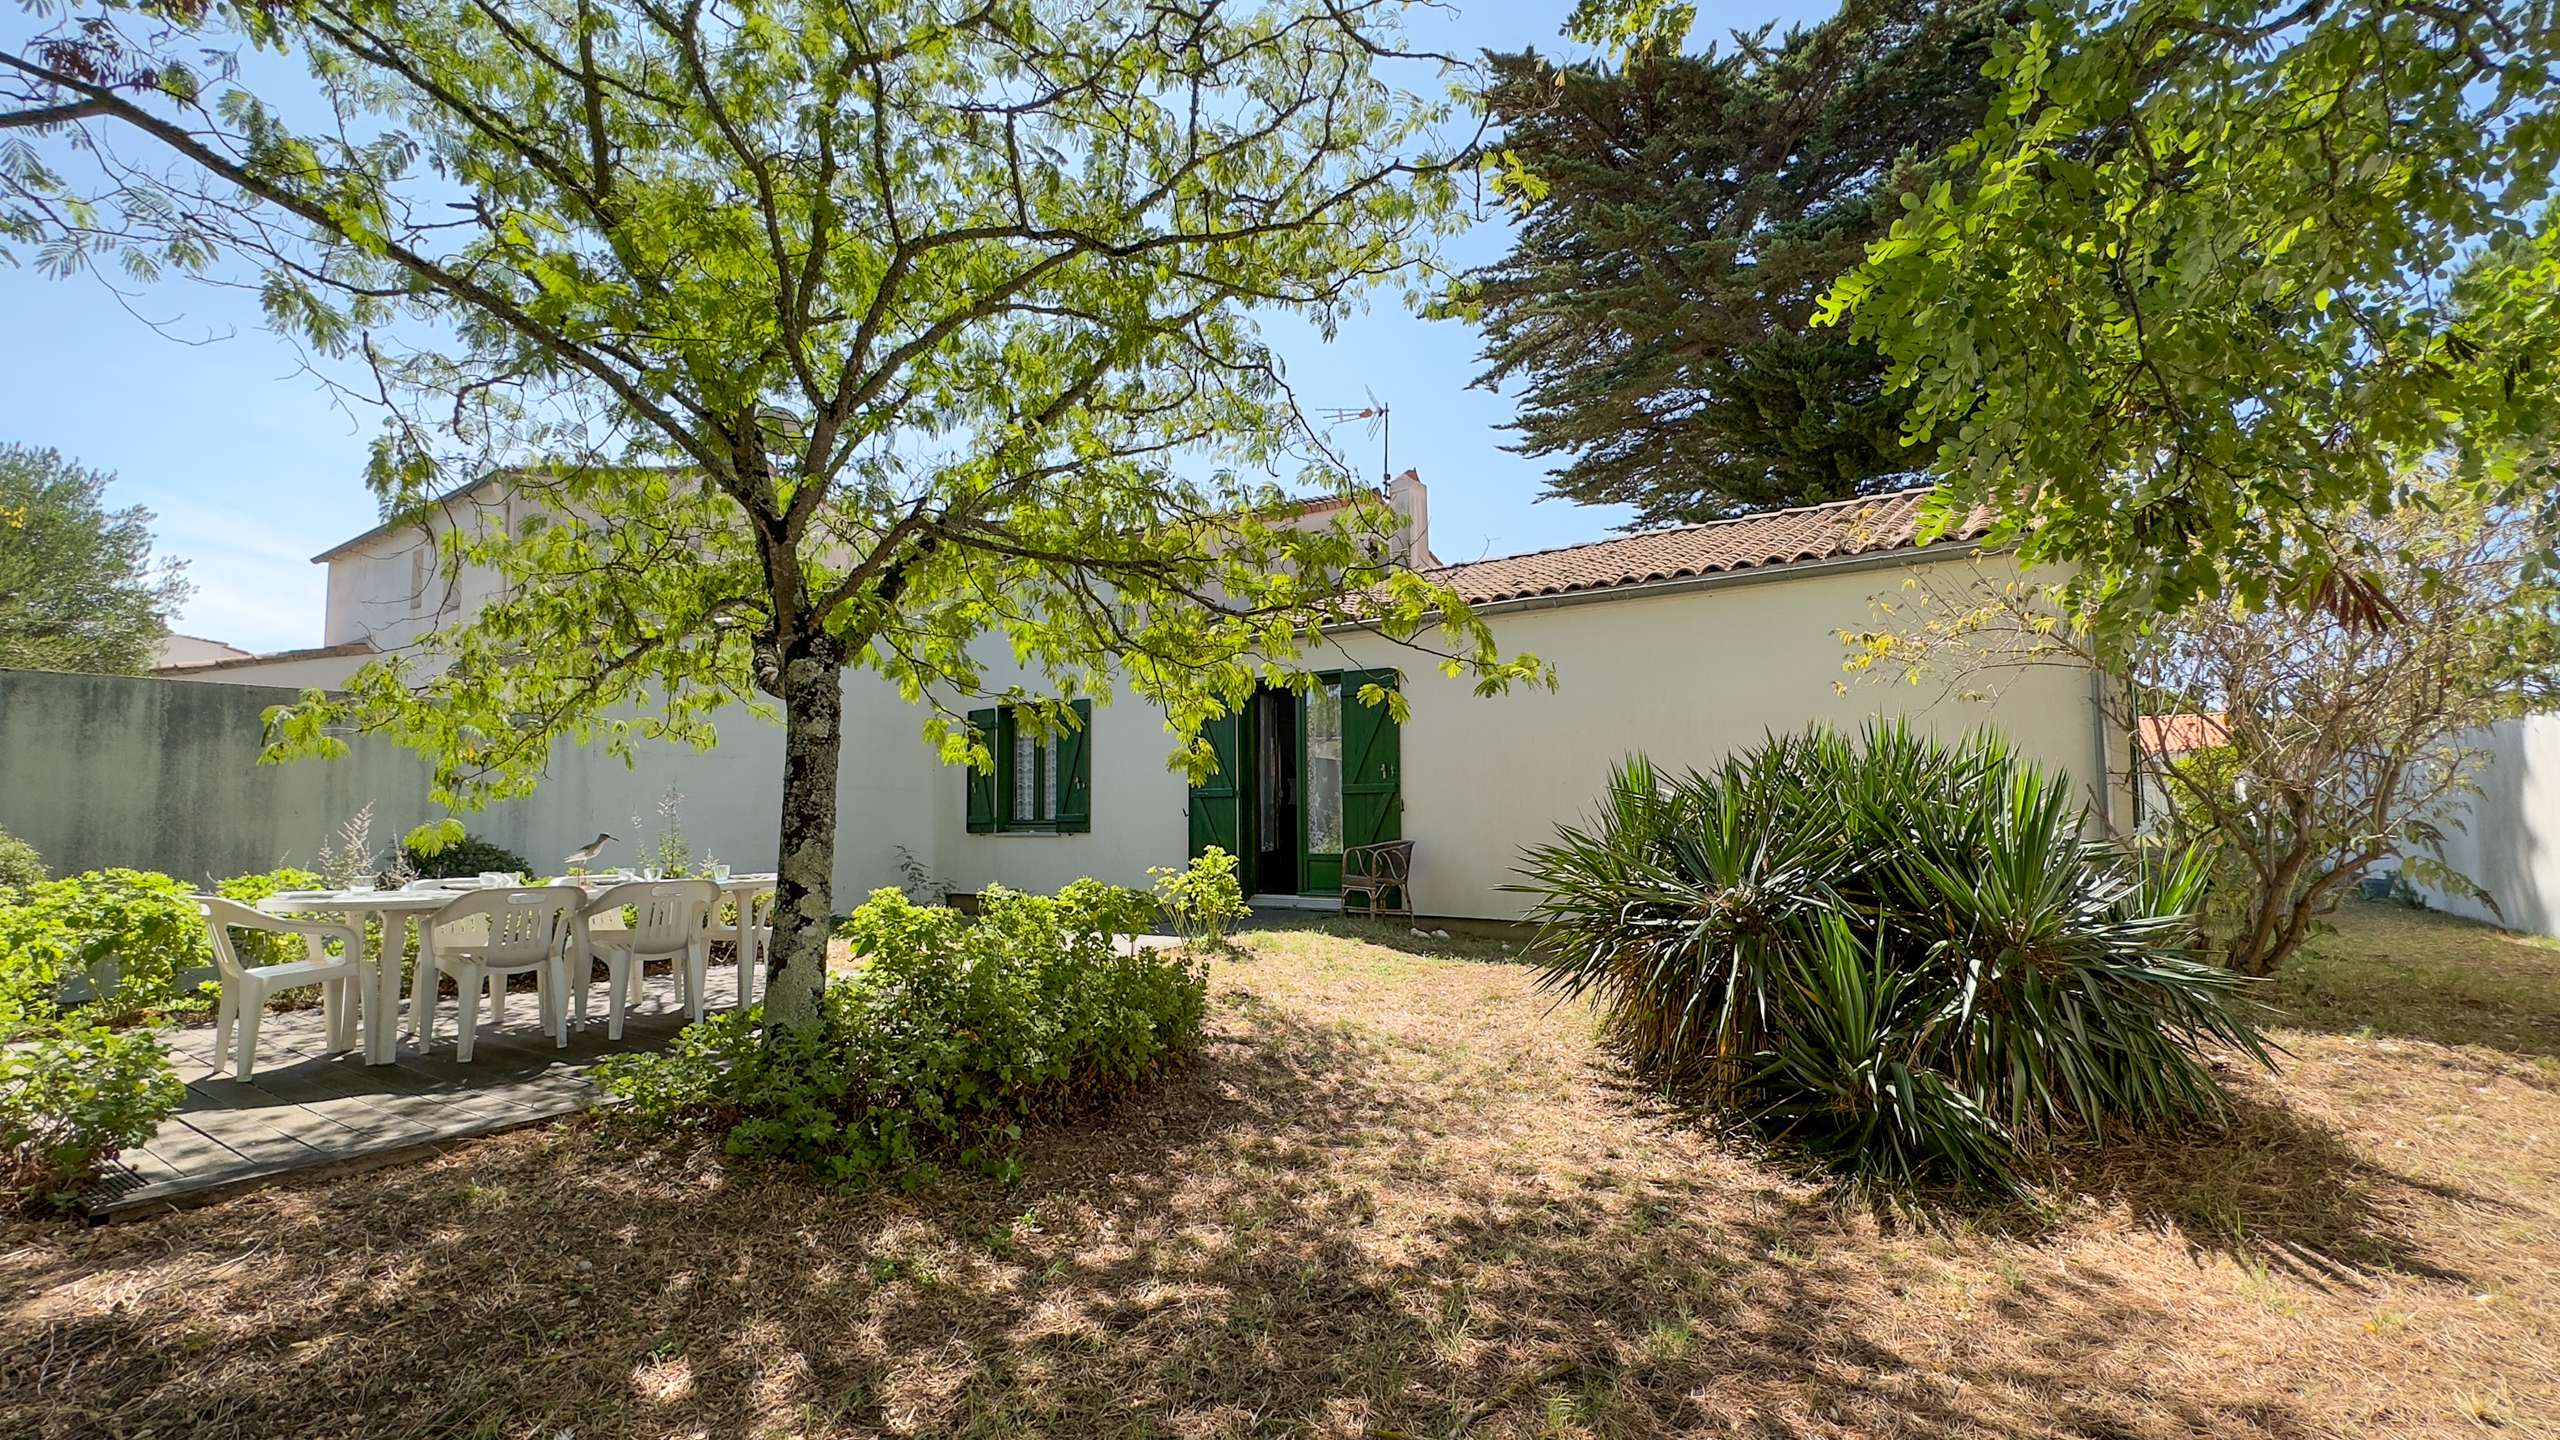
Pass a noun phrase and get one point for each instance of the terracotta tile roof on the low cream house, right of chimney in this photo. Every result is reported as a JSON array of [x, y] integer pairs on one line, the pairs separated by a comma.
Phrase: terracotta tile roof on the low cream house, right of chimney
[[1755, 542]]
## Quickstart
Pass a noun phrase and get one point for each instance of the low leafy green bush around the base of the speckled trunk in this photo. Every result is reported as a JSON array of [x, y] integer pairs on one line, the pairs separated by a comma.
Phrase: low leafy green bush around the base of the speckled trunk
[[951, 1036]]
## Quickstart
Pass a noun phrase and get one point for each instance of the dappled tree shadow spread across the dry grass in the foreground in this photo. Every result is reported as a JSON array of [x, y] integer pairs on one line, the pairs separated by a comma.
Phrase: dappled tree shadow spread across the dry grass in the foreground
[[1294, 1236]]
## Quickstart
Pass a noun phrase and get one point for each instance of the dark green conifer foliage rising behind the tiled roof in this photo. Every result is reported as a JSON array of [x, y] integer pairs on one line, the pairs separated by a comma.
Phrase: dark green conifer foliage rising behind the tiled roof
[[1686, 217]]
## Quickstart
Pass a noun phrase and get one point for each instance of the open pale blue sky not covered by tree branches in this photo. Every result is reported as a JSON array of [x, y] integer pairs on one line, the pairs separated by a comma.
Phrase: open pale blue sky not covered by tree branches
[[252, 470]]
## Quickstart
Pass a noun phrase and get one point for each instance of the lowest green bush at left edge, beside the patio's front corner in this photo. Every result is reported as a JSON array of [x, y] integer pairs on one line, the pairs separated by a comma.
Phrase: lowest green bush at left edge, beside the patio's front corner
[[70, 1100]]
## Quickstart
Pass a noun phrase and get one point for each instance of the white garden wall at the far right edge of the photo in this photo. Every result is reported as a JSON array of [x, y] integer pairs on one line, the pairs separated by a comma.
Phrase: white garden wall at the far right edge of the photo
[[2510, 842]]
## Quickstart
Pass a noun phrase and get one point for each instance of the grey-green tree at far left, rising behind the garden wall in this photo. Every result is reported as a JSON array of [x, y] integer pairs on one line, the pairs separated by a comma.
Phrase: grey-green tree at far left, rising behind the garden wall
[[78, 585]]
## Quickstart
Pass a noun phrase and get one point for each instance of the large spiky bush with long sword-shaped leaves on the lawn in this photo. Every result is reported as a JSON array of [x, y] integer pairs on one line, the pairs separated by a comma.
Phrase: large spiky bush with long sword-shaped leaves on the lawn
[[1906, 957]]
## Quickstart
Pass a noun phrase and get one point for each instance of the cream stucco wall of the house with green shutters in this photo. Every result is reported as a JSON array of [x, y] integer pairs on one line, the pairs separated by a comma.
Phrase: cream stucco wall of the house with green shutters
[[1683, 678]]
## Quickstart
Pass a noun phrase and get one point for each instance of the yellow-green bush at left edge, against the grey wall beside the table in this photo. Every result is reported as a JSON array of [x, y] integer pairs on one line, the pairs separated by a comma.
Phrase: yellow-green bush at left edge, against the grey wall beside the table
[[119, 937]]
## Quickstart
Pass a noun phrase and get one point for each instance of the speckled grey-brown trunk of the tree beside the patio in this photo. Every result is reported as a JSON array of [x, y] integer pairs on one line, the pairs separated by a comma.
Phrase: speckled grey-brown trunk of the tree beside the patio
[[803, 898]]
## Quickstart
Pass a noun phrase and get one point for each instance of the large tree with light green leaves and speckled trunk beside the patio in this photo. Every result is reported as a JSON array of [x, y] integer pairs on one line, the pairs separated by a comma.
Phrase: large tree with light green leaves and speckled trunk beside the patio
[[846, 337]]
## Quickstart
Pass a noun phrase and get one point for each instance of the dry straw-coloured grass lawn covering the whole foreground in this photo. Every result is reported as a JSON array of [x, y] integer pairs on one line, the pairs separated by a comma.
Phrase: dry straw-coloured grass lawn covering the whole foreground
[[1399, 1195]]
